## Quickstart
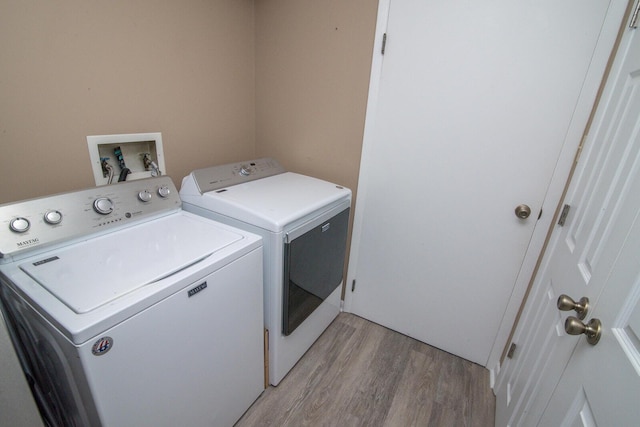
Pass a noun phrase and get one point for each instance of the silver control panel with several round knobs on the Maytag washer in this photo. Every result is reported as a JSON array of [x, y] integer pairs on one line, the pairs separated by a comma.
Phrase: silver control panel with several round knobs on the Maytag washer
[[54, 219]]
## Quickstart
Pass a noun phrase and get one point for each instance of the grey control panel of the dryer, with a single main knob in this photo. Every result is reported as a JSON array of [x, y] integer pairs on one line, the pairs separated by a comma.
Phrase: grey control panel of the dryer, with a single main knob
[[218, 177]]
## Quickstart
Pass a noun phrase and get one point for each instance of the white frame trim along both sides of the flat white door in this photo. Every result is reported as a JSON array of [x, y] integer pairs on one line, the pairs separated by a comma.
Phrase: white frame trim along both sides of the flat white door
[[572, 141]]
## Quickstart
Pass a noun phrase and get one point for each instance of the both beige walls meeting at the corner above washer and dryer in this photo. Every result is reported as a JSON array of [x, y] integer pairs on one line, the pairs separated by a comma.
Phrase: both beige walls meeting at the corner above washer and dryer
[[74, 68]]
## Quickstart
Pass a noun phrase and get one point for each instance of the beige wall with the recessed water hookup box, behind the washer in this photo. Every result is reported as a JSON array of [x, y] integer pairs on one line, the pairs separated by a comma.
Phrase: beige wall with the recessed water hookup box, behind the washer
[[74, 68]]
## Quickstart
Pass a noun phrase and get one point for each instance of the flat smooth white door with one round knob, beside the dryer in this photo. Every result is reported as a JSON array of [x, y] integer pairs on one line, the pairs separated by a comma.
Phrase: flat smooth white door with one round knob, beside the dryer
[[474, 104]]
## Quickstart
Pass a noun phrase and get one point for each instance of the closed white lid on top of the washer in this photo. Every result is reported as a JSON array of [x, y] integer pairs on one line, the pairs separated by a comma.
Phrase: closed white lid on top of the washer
[[90, 274]]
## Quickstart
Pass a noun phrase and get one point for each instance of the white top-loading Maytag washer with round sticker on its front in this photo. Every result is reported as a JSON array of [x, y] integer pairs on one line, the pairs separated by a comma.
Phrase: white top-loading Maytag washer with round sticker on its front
[[126, 310]]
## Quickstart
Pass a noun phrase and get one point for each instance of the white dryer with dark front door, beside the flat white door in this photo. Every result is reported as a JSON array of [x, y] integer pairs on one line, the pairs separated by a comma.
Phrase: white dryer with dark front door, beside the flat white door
[[303, 222]]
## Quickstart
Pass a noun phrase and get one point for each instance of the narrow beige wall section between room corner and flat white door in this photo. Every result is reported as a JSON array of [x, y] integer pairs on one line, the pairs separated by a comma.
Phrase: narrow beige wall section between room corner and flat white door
[[312, 77]]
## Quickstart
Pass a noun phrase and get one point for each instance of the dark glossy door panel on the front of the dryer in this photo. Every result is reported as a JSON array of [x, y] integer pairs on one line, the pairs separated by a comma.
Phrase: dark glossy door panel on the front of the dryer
[[313, 269]]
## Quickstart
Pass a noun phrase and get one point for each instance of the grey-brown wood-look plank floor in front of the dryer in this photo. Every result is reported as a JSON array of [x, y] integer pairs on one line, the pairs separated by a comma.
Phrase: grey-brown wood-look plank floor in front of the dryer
[[362, 374]]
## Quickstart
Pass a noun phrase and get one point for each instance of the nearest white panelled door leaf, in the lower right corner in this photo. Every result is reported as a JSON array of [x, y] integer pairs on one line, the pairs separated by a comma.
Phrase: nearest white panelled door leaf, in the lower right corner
[[601, 384]]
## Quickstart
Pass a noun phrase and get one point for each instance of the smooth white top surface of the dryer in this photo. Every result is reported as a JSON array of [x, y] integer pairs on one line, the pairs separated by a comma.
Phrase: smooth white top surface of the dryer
[[272, 203]]
